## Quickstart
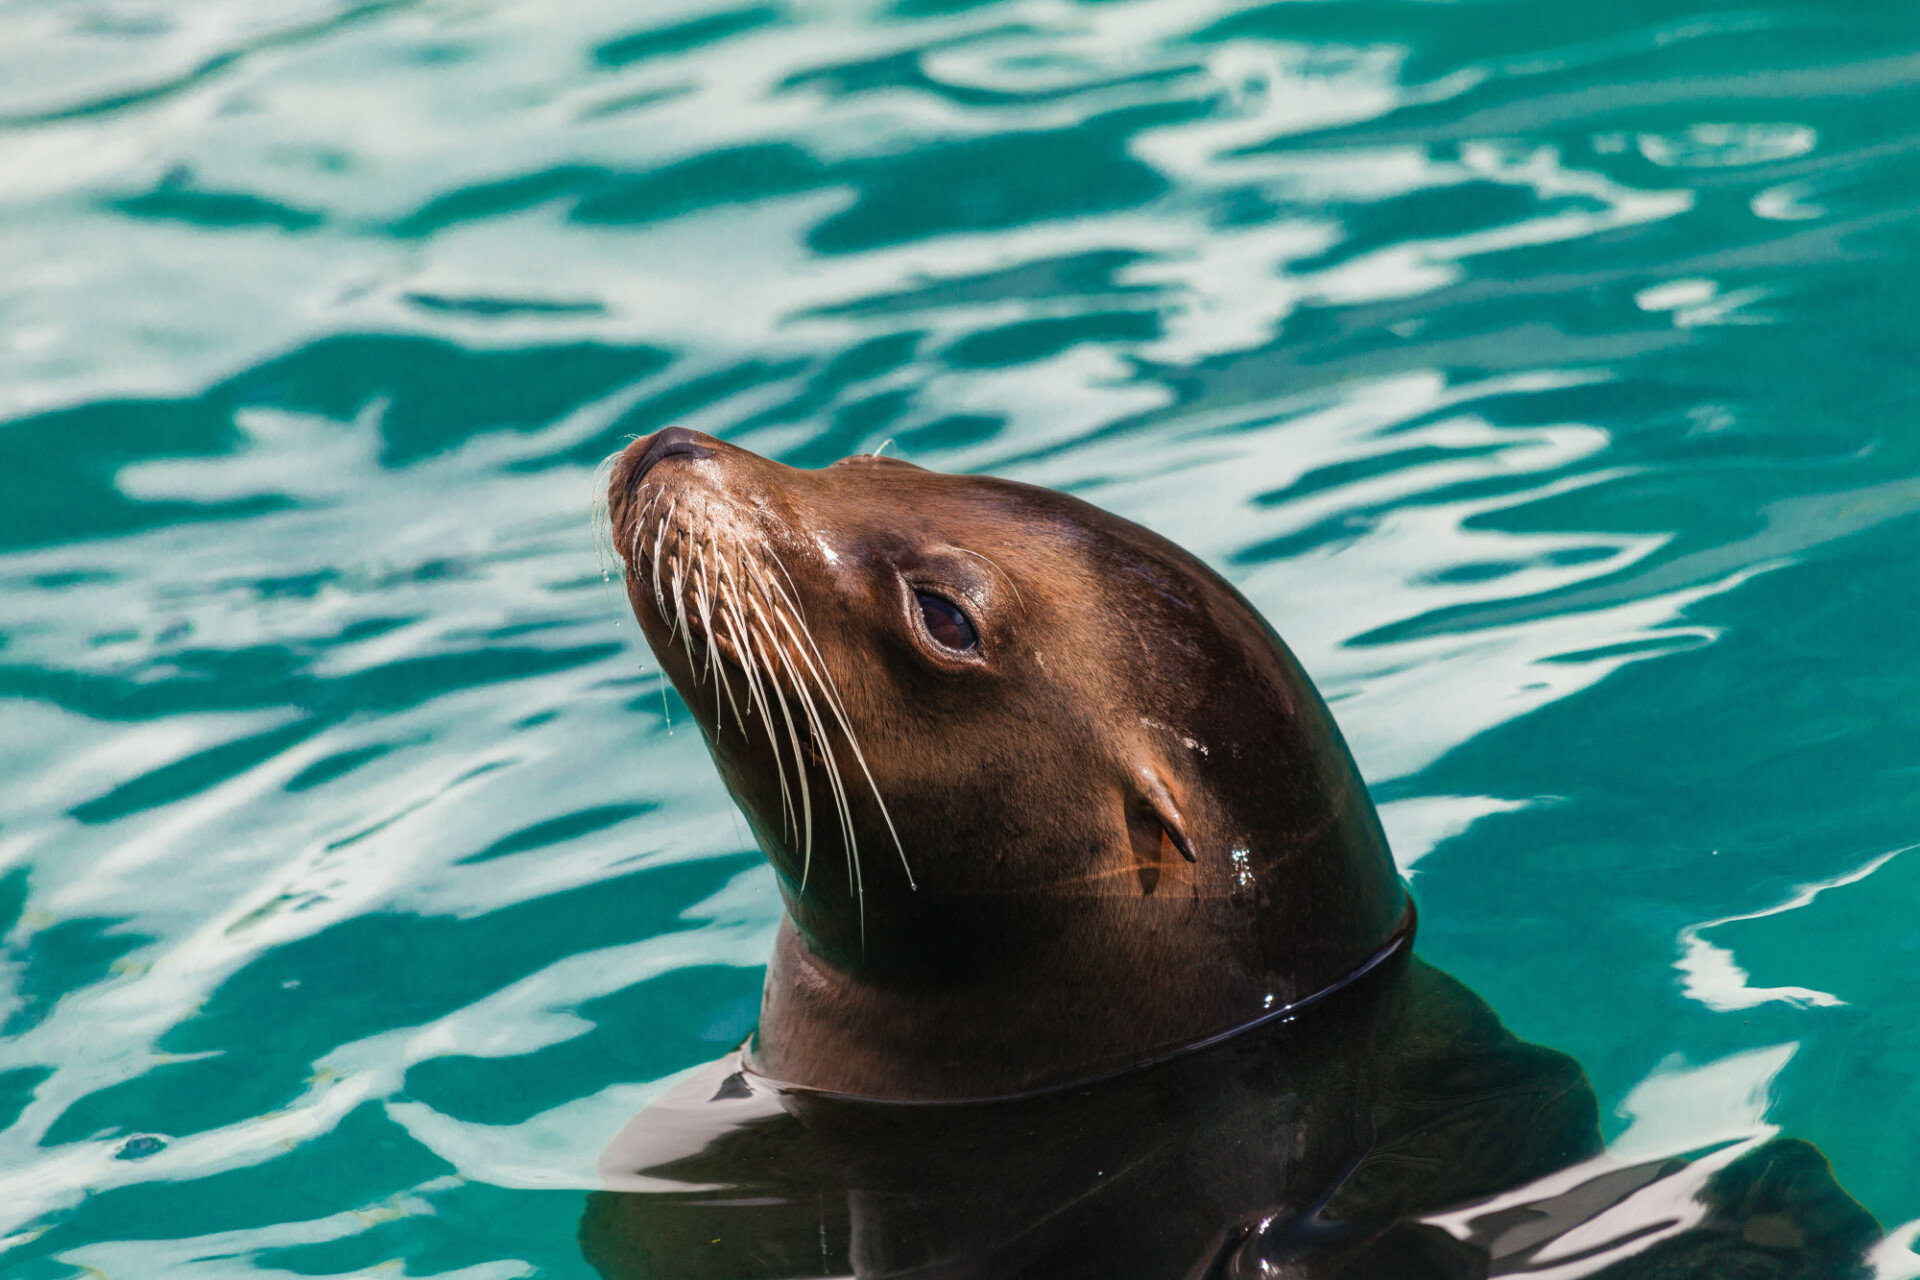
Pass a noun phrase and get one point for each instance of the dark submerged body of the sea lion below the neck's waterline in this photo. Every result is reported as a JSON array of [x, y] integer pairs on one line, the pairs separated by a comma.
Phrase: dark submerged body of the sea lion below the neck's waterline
[[1303, 1145]]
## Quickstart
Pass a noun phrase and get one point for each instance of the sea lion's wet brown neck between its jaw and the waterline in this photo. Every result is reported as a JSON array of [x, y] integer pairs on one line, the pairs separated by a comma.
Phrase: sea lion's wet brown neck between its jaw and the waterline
[[1032, 991]]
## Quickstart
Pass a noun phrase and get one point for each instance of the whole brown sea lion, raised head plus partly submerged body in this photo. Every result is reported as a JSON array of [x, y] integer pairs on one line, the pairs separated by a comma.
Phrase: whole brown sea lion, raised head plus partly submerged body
[[1070, 847]]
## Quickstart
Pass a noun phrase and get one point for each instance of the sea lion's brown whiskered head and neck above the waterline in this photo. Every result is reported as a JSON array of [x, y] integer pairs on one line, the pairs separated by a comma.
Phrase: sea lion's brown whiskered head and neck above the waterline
[[1007, 753]]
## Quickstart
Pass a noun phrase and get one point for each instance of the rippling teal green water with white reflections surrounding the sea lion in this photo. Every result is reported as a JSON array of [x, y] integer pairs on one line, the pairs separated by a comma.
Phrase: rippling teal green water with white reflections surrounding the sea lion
[[1547, 373]]
